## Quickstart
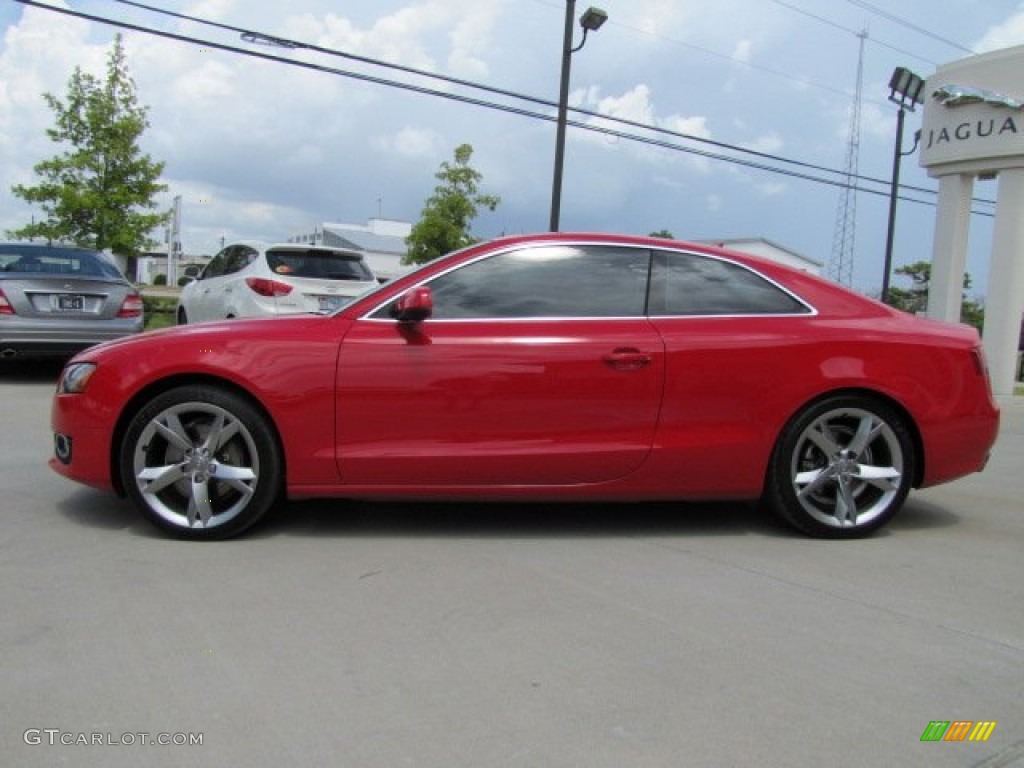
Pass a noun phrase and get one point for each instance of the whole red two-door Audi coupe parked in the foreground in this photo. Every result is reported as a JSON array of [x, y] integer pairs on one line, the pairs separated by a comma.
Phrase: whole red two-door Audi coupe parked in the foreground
[[551, 367]]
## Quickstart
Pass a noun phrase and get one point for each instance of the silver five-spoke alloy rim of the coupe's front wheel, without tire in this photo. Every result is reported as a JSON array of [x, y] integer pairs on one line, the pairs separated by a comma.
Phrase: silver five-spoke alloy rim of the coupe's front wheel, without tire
[[196, 465]]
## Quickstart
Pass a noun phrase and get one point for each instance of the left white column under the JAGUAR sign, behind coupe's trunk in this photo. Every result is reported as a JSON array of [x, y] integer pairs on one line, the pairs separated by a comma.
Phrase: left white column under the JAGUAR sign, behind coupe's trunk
[[953, 221]]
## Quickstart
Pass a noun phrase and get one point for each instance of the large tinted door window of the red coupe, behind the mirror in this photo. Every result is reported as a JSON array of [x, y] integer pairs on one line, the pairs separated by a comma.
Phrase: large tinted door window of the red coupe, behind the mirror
[[546, 281]]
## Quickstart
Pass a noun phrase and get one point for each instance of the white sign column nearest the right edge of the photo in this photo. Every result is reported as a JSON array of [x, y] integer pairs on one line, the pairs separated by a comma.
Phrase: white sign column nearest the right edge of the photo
[[1005, 303]]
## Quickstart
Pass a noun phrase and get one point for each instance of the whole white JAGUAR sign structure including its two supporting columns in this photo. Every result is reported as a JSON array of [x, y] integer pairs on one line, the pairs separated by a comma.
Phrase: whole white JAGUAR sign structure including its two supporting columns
[[974, 127]]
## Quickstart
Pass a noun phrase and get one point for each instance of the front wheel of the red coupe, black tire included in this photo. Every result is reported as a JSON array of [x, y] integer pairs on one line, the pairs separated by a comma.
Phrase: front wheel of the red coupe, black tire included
[[201, 462]]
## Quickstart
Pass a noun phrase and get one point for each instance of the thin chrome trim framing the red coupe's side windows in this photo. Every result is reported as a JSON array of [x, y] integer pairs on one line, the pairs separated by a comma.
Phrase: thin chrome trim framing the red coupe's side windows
[[812, 311]]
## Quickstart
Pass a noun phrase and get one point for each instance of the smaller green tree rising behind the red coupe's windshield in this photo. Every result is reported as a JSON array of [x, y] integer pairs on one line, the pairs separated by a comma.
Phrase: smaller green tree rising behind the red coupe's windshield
[[444, 225]]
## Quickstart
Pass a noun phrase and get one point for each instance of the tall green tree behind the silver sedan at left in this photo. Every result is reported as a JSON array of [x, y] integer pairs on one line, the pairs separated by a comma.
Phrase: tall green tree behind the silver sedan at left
[[99, 193]]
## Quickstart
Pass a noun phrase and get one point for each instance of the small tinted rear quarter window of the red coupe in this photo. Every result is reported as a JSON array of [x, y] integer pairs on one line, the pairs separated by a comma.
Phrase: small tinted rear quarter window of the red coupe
[[688, 284]]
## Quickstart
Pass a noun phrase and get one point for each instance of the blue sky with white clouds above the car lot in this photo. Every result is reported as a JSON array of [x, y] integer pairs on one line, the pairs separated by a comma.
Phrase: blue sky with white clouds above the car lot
[[264, 149]]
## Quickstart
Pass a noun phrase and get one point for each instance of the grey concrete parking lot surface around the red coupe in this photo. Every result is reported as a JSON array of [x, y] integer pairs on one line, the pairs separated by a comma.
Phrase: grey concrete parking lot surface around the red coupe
[[386, 635]]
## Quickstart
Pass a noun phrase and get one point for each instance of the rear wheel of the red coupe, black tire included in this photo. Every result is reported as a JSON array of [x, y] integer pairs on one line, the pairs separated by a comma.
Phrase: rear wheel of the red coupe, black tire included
[[842, 468]]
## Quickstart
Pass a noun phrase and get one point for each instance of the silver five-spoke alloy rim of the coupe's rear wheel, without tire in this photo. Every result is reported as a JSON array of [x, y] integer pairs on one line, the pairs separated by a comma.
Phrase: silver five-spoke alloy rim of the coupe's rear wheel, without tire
[[847, 468]]
